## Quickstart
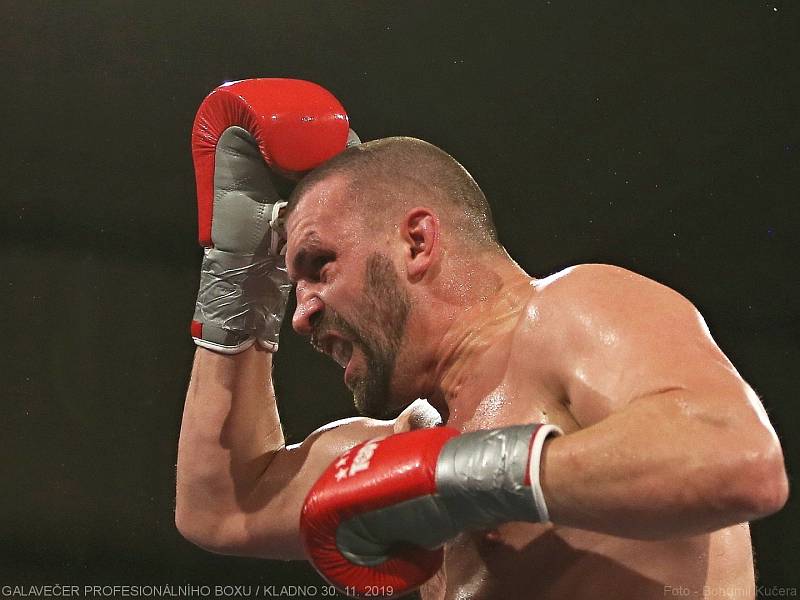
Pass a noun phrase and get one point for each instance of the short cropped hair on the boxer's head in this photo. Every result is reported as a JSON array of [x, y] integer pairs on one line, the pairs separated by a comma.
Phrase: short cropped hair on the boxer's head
[[395, 174]]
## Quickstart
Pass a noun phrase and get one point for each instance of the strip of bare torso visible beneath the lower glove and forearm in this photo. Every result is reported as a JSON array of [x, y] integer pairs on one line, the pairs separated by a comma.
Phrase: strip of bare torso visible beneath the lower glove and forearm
[[524, 560]]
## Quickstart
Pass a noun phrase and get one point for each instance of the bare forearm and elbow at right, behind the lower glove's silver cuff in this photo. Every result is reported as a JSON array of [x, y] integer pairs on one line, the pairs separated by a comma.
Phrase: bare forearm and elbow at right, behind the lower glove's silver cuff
[[653, 471]]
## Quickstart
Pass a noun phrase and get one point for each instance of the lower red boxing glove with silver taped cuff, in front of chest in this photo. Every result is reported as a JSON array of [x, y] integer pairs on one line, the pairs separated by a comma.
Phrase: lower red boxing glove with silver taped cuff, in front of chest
[[374, 522]]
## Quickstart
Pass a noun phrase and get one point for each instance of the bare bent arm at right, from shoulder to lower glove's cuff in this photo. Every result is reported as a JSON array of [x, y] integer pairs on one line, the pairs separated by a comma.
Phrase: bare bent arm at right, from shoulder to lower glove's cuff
[[673, 441]]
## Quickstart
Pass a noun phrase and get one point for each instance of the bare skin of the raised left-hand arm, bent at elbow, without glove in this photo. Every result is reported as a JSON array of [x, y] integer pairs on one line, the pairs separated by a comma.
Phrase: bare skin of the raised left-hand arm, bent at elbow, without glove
[[239, 489]]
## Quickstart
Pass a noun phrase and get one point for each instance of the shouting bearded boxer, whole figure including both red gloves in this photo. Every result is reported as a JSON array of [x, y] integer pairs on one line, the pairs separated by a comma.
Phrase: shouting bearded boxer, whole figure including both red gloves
[[596, 441]]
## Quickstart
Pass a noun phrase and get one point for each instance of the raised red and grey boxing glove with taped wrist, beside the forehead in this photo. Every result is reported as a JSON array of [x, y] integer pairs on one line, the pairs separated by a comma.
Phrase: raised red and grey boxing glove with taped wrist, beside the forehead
[[243, 133]]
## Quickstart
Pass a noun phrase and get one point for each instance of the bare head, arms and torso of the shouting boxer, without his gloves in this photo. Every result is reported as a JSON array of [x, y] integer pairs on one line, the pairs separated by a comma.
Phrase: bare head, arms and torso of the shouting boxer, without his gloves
[[666, 452]]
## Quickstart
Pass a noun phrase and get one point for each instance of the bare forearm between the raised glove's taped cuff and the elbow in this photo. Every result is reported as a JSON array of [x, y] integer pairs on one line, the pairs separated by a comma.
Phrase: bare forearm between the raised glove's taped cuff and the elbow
[[229, 434]]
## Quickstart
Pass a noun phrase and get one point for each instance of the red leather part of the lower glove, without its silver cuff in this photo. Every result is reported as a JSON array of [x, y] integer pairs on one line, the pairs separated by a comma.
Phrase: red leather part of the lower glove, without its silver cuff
[[367, 478]]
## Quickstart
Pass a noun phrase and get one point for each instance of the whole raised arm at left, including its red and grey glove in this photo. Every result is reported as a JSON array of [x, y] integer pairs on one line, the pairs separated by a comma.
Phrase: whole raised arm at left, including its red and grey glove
[[239, 490]]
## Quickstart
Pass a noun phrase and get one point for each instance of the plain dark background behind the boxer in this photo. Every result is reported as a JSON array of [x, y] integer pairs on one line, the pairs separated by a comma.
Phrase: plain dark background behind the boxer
[[660, 136]]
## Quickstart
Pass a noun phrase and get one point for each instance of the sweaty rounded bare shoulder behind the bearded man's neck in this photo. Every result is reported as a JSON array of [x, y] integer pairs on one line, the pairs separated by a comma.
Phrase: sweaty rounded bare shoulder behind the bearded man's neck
[[611, 335]]
